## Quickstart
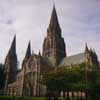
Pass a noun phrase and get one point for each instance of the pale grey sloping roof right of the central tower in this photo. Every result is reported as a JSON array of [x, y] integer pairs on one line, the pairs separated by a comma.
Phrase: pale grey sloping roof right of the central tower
[[75, 59]]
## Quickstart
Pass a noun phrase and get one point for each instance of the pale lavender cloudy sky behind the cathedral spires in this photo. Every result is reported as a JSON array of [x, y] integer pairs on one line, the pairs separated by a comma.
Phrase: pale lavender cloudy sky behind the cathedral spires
[[29, 20]]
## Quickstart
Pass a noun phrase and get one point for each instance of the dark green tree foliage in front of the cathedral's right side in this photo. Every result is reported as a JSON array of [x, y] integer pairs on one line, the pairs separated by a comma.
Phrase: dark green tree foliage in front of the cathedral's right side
[[79, 77]]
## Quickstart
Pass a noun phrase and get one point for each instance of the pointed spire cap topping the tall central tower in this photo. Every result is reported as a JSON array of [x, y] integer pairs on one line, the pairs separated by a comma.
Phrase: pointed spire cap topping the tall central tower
[[54, 27]]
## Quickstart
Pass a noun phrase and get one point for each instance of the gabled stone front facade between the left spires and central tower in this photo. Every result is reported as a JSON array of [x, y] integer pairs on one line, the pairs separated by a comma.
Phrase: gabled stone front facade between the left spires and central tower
[[31, 76]]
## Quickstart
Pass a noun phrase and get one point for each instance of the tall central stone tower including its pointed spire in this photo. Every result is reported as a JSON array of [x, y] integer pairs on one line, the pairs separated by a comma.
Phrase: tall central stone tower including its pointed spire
[[54, 45]]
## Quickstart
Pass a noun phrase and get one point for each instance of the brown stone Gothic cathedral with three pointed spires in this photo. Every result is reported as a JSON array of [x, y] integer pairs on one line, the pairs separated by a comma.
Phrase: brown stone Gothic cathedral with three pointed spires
[[26, 81]]
